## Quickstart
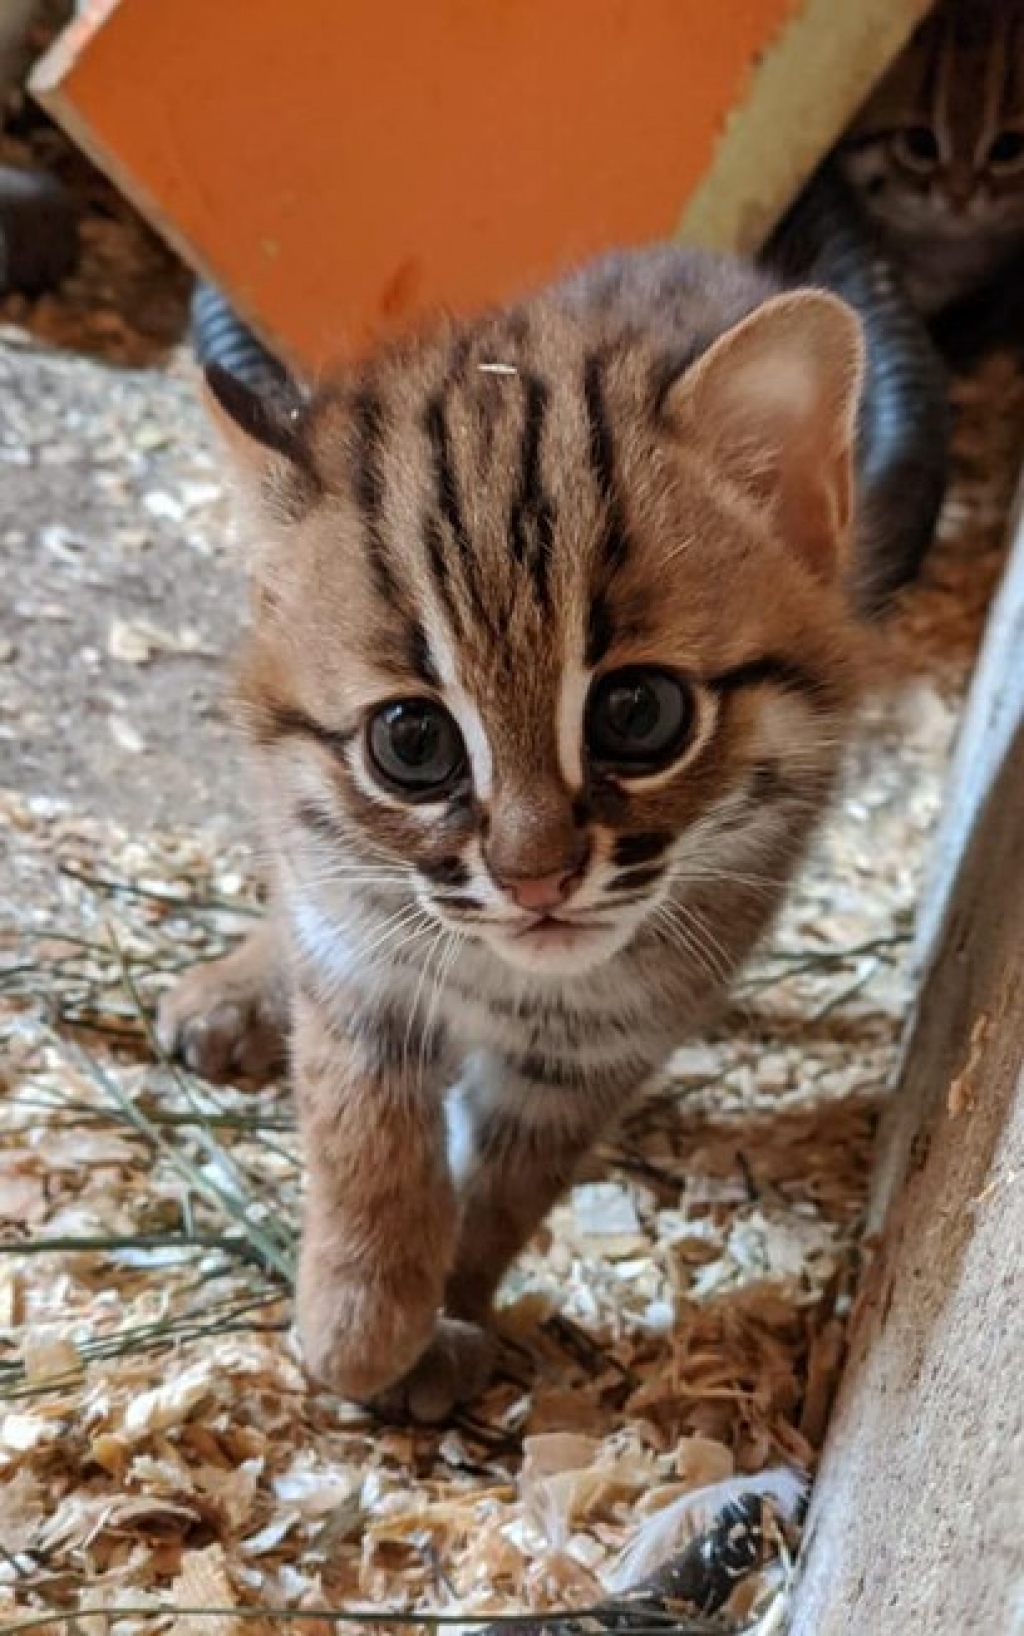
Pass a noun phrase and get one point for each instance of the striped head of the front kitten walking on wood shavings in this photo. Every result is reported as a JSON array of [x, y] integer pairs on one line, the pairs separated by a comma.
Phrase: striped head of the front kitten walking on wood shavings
[[549, 621]]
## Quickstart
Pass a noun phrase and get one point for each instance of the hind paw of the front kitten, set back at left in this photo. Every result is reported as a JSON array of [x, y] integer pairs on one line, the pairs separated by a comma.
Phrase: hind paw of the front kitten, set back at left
[[228, 1020]]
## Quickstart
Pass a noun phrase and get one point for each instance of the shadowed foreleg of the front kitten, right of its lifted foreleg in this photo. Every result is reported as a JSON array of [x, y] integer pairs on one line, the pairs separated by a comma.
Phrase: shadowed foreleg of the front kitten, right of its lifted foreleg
[[516, 1151]]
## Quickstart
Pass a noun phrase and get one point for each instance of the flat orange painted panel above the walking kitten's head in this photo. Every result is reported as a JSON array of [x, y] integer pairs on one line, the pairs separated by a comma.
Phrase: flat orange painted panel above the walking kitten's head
[[341, 164]]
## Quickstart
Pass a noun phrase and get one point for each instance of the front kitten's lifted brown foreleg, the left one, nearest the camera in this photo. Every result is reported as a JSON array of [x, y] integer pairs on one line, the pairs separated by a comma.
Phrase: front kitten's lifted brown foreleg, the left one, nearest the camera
[[380, 1208]]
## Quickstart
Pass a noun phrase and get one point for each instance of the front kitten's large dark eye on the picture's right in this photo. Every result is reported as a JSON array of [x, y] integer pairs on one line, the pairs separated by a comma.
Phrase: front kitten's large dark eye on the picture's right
[[639, 721]]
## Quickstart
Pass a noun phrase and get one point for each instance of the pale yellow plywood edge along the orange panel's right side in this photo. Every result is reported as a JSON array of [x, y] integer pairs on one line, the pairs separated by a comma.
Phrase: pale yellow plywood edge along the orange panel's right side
[[802, 94]]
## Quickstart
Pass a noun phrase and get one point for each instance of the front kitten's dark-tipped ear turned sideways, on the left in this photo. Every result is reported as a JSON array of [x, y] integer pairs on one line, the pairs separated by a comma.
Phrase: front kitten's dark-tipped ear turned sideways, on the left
[[264, 434]]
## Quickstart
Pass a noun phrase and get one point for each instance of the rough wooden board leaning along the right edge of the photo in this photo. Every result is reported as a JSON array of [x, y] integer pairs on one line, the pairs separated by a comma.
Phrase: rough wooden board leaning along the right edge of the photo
[[918, 1516]]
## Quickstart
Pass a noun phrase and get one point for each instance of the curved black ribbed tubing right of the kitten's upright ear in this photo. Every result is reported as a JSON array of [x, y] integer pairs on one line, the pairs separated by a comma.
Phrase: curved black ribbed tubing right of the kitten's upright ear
[[904, 431]]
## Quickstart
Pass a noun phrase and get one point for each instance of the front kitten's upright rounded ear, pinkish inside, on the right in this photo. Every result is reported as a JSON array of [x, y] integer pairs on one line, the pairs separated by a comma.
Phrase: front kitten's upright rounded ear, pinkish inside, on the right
[[776, 400]]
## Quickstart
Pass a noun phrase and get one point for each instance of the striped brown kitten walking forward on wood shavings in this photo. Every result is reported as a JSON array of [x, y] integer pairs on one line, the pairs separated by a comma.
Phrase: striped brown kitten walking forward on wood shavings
[[547, 683]]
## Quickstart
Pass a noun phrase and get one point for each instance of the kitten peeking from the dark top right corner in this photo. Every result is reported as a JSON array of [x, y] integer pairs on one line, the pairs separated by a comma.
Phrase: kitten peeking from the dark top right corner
[[938, 151]]
